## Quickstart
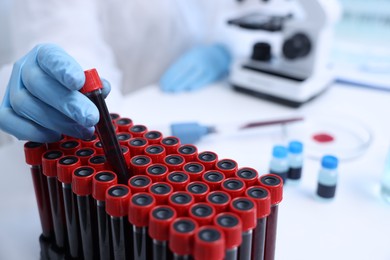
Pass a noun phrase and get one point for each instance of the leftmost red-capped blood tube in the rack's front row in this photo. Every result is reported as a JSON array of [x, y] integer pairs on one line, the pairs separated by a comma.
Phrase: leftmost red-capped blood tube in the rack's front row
[[33, 155]]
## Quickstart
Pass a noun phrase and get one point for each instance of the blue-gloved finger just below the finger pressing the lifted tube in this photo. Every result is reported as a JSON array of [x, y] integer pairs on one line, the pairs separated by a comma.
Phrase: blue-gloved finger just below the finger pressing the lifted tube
[[29, 107]]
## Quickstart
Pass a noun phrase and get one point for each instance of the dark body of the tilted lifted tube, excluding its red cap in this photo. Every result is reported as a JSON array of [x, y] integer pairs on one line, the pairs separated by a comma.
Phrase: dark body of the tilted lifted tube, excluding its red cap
[[107, 135]]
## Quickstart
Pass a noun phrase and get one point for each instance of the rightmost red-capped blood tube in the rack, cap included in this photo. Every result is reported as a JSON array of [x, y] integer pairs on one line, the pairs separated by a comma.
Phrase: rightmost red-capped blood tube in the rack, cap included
[[274, 184]]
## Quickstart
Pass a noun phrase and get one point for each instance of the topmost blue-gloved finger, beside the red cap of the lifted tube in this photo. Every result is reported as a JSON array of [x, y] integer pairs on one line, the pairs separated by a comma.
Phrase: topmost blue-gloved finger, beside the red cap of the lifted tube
[[58, 64]]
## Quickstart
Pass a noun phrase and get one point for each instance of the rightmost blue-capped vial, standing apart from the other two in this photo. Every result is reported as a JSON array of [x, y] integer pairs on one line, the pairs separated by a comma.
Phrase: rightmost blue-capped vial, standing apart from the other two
[[327, 177]]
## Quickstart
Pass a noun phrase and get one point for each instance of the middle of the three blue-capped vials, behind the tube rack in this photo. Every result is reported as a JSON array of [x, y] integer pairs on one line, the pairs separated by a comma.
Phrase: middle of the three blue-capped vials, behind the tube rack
[[295, 159]]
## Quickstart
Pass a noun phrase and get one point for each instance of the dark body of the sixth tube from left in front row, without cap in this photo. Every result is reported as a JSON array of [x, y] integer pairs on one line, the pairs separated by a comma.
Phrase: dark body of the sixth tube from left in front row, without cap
[[121, 238]]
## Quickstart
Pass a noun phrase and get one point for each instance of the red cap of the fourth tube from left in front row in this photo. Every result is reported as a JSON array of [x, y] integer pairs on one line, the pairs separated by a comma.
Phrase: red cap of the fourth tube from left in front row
[[82, 180]]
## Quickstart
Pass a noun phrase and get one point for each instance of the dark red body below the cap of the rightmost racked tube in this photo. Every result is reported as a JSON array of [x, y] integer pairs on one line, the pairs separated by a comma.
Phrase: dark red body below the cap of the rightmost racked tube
[[270, 233]]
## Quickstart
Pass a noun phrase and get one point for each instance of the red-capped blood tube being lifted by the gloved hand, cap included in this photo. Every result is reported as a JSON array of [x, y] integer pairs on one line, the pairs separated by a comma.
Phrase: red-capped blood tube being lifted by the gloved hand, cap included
[[104, 128]]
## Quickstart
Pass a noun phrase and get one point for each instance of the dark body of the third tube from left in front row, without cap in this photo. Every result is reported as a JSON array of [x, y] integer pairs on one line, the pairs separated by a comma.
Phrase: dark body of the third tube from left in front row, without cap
[[72, 221]]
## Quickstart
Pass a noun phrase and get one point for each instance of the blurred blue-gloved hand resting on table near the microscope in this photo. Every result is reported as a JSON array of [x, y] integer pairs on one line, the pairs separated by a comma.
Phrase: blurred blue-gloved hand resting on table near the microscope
[[197, 68]]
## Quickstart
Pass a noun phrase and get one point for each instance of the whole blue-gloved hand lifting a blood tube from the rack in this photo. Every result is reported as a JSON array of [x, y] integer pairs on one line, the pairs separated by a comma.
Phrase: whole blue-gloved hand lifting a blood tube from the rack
[[42, 101]]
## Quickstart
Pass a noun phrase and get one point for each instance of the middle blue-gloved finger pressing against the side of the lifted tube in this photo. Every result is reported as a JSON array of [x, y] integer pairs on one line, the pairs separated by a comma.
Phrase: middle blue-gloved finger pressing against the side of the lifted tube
[[41, 85]]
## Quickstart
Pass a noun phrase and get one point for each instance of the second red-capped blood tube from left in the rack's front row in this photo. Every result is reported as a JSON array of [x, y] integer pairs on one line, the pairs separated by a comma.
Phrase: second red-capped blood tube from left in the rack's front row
[[49, 169]]
